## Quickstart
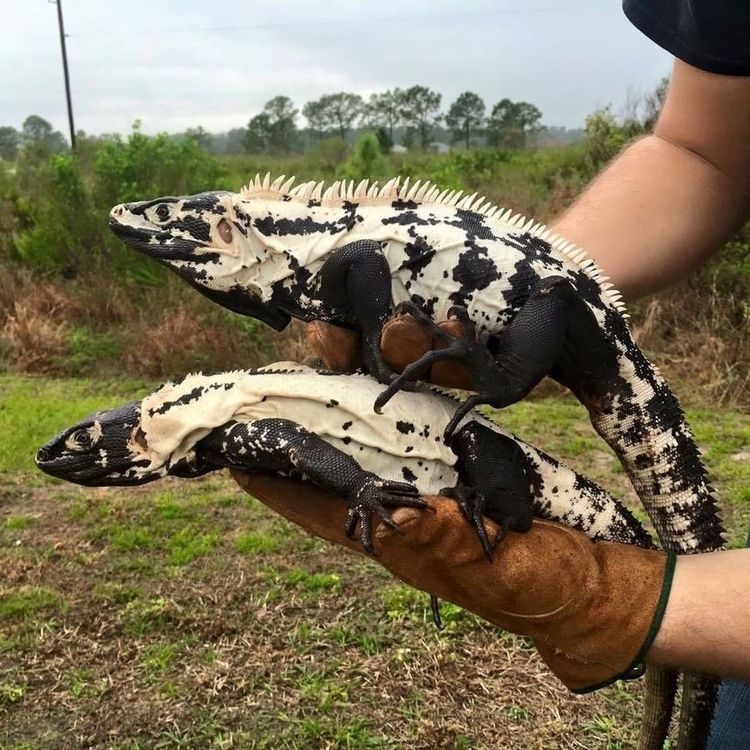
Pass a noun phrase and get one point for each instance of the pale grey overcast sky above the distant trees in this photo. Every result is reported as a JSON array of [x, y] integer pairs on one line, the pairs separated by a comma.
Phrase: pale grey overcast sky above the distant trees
[[182, 63]]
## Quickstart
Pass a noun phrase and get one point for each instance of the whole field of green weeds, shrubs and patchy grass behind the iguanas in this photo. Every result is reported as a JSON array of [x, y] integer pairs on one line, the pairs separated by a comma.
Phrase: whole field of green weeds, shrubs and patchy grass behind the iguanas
[[183, 614]]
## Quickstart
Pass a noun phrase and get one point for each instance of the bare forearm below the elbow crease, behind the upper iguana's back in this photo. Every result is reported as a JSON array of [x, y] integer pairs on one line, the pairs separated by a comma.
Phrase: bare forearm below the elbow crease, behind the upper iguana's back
[[654, 215]]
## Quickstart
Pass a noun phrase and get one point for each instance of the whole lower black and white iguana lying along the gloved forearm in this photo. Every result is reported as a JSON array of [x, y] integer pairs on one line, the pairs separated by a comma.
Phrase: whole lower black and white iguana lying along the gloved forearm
[[292, 420]]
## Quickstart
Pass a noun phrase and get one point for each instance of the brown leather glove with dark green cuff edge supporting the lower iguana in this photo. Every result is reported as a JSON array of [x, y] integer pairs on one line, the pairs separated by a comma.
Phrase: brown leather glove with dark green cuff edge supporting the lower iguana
[[591, 609]]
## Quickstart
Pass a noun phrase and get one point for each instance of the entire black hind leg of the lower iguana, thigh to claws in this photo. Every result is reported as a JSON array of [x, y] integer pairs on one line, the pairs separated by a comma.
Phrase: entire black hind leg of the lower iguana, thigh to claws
[[492, 482]]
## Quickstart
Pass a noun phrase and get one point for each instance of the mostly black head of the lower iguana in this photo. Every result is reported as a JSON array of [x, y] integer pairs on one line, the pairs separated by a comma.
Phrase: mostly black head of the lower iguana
[[107, 448]]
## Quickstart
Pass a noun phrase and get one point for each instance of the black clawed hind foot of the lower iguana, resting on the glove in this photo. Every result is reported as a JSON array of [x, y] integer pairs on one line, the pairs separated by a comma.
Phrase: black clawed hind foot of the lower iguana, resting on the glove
[[496, 503]]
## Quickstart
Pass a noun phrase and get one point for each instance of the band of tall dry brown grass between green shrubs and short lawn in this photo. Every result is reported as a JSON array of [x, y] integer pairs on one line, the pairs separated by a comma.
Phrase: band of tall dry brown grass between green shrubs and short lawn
[[73, 327]]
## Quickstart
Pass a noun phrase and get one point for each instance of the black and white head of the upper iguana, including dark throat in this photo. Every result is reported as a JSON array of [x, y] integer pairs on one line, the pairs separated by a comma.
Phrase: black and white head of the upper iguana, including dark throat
[[209, 241]]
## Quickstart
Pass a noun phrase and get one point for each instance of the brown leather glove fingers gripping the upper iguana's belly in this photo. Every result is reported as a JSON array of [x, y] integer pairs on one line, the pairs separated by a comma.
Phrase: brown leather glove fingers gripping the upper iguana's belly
[[403, 341]]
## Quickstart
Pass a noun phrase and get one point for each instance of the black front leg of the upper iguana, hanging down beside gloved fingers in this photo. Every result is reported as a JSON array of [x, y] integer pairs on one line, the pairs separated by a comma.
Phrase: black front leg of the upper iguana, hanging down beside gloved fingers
[[356, 280]]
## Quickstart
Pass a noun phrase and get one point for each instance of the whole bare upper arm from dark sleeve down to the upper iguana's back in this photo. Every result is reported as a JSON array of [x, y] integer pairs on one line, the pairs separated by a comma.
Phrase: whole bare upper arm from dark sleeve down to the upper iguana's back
[[673, 198]]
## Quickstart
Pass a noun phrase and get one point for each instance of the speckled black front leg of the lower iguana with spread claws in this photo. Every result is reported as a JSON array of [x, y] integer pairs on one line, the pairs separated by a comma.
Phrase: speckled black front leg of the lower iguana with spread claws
[[280, 446]]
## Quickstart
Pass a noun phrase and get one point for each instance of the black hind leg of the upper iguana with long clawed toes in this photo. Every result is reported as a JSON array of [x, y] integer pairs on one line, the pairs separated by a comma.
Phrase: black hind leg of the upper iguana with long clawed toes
[[554, 333]]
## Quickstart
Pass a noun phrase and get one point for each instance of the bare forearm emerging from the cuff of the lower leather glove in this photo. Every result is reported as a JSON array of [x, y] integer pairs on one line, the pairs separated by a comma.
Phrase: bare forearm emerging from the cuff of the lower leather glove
[[706, 626]]
